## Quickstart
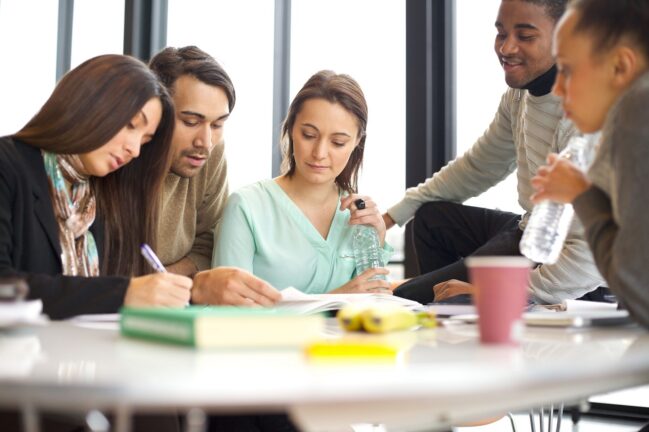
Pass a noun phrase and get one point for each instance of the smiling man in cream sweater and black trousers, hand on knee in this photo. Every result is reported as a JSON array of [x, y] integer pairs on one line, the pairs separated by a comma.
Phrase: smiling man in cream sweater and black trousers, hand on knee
[[528, 125]]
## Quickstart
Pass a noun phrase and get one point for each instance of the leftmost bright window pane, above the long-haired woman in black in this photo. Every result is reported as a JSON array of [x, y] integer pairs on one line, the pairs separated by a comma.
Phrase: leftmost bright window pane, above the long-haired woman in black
[[28, 44]]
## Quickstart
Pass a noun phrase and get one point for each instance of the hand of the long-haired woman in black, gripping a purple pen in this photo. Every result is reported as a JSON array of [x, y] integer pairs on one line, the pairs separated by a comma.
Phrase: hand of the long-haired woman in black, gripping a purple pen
[[159, 289]]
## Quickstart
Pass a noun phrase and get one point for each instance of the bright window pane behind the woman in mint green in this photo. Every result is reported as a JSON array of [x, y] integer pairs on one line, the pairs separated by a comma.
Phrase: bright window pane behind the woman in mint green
[[345, 39]]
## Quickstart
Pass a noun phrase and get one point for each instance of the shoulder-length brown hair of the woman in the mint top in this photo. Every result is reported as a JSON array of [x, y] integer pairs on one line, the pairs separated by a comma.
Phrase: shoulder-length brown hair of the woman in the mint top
[[335, 88]]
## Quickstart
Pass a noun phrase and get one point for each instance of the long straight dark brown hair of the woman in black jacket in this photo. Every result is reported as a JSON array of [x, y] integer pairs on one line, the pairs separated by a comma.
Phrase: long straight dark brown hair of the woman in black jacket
[[88, 107]]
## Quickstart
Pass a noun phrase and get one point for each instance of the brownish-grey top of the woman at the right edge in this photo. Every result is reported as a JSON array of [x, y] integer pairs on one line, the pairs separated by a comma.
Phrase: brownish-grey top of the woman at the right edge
[[614, 210]]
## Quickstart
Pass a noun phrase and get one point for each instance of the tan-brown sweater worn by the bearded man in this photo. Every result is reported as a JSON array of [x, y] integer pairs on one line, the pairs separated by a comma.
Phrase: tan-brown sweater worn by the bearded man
[[191, 209]]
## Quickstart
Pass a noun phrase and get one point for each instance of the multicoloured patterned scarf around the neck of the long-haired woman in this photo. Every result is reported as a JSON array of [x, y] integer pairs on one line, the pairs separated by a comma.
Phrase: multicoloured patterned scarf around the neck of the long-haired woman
[[74, 216]]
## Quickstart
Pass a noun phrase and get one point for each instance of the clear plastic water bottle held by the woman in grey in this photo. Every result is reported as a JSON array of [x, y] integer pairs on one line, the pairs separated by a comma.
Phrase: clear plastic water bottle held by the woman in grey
[[550, 221]]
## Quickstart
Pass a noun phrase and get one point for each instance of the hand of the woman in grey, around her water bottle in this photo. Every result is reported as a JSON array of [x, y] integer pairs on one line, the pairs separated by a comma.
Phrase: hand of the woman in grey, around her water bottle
[[559, 181]]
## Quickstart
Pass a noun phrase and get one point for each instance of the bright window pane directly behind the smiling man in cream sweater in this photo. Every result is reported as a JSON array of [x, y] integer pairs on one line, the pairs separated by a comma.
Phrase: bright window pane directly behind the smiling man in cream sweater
[[480, 83]]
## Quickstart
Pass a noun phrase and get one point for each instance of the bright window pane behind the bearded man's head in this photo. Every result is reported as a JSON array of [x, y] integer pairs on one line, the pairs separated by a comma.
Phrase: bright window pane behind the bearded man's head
[[239, 34]]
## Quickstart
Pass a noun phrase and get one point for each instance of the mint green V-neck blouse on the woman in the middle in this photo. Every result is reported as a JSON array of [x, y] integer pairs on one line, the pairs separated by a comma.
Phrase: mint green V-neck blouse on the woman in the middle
[[264, 232]]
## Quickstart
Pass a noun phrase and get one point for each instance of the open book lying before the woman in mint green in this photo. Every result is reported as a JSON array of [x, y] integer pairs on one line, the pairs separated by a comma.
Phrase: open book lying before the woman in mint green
[[295, 300]]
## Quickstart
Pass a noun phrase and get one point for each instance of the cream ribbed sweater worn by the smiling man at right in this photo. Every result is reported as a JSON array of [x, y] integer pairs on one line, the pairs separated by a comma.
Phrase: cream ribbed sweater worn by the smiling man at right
[[525, 129]]
